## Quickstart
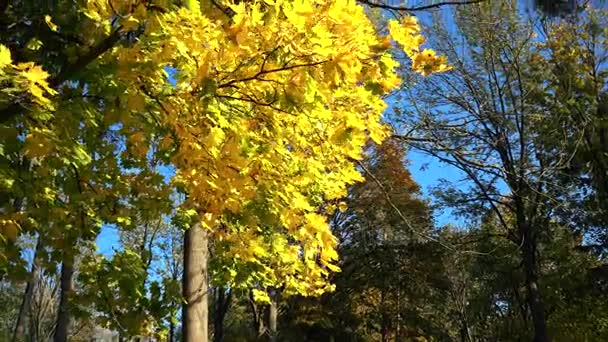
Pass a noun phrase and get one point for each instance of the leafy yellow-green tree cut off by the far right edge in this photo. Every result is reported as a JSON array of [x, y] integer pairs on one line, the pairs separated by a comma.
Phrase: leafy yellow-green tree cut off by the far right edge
[[575, 55]]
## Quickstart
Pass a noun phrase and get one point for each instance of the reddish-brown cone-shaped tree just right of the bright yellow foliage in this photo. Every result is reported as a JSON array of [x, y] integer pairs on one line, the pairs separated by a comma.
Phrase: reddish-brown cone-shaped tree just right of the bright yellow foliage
[[393, 282]]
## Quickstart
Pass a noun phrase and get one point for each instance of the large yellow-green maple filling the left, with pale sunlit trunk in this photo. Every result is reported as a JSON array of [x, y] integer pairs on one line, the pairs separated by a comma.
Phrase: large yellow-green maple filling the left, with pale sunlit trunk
[[260, 106]]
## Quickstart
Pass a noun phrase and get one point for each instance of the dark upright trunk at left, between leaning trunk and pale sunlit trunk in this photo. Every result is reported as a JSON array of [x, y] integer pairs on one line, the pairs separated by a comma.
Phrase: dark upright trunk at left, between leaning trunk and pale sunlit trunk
[[63, 314]]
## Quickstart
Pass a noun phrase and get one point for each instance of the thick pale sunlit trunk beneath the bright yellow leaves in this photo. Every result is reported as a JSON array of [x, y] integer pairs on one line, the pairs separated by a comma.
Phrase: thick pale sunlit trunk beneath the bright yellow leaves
[[195, 312]]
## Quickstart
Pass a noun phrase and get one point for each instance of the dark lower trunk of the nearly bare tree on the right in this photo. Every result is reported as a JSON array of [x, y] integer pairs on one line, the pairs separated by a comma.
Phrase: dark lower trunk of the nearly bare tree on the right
[[534, 296]]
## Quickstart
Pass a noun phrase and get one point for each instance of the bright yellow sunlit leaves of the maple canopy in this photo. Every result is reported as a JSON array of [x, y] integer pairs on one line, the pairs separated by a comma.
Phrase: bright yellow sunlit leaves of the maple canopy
[[263, 107]]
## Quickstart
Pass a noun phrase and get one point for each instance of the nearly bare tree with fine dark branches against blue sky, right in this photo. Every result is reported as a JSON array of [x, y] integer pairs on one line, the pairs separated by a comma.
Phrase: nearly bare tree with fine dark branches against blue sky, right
[[484, 119]]
